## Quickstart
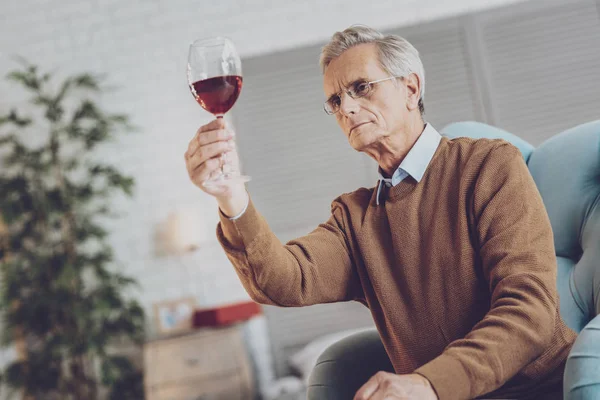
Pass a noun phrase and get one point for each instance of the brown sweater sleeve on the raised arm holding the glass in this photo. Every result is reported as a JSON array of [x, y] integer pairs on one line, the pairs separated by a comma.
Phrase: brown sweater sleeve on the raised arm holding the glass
[[316, 268]]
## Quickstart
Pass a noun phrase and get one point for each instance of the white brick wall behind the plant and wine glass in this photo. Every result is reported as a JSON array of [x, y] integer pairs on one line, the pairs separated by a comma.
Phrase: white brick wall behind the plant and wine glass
[[142, 47]]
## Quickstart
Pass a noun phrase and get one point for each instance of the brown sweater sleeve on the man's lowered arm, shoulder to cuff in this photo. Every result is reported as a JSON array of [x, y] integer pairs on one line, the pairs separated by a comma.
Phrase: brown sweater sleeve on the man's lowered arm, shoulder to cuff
[[517, 255]]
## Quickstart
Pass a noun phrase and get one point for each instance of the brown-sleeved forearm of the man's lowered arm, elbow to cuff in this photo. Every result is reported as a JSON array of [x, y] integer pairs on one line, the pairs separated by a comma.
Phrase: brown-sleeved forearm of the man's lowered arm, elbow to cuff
[[509, 337]]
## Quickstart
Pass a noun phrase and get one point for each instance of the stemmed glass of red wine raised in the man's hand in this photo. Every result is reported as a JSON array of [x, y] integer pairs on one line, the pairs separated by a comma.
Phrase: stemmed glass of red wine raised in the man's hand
[[214, 74]]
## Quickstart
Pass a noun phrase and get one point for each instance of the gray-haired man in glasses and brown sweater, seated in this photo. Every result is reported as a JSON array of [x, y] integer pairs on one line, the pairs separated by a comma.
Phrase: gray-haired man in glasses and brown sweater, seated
[[451, 251]]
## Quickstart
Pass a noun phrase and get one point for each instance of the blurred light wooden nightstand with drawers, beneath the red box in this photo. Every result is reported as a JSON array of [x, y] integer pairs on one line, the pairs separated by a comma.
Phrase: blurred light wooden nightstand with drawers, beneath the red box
[[211, 364]]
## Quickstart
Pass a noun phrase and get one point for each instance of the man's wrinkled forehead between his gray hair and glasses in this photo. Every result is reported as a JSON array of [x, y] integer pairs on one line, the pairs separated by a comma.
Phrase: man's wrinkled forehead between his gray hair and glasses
[[358, 62]]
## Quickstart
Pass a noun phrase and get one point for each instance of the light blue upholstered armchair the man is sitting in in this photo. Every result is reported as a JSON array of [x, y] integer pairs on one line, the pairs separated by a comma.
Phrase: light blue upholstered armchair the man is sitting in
[[566, 169]]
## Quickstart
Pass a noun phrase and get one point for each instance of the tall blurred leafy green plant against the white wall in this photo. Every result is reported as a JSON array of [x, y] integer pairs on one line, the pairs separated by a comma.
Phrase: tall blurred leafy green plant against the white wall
[[61, 298]]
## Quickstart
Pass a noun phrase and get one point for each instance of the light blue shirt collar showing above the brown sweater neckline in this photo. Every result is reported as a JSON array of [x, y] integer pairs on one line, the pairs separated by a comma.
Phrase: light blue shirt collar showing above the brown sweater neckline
[[416, 161]]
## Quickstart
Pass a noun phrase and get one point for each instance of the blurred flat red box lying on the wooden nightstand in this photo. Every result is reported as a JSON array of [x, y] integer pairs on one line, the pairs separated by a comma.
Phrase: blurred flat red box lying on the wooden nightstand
[[225, 315]]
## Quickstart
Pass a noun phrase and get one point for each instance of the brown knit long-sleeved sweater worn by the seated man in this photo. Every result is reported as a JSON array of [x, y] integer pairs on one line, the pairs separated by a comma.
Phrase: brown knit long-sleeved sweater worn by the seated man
[[458, 271]]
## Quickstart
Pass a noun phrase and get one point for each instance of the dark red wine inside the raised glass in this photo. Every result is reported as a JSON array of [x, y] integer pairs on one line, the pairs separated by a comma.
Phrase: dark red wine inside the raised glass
[[217, 95]]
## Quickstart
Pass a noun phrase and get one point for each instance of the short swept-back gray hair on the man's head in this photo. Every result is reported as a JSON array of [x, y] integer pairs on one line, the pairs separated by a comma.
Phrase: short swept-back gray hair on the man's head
[[396, 55]]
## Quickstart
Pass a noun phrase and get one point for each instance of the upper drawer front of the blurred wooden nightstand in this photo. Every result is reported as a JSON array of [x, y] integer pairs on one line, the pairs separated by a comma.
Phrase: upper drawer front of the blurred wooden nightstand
[[192, 357]]
